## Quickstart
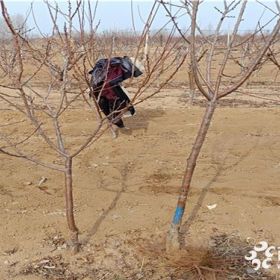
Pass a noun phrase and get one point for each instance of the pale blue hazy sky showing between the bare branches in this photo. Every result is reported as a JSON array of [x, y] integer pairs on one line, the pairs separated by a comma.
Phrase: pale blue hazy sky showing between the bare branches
[[117, 14]]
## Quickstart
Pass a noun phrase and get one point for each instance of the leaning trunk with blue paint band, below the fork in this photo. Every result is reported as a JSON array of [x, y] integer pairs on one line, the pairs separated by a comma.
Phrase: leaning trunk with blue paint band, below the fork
[[172, 242]]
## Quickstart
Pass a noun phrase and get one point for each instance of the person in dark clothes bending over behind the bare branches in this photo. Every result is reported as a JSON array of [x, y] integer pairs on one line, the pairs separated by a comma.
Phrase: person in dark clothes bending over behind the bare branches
[[106, 78]]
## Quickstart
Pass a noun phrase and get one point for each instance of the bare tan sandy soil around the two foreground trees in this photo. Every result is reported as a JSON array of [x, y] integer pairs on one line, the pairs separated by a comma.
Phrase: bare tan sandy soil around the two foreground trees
[[126, 191]]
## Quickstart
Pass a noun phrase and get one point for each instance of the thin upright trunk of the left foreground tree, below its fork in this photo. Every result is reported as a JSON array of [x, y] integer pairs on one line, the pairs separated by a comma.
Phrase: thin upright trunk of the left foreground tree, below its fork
[[74, 232]]
